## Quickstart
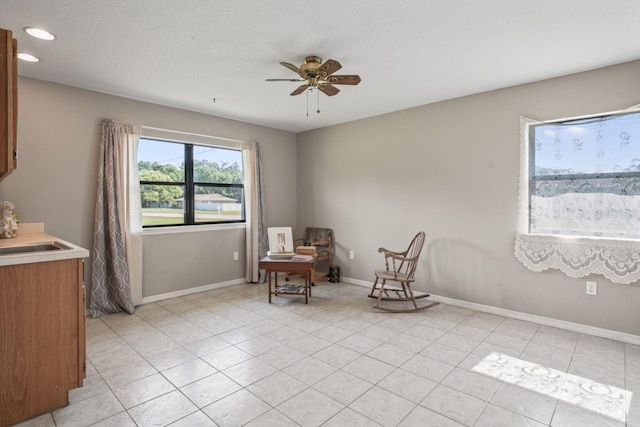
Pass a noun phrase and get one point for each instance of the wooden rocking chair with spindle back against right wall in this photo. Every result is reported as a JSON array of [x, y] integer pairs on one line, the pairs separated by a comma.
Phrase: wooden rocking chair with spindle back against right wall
[[400, 267]]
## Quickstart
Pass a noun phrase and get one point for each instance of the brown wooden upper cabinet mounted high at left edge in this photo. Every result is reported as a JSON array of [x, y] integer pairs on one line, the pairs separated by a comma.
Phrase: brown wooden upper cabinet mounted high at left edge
[[8, 103]]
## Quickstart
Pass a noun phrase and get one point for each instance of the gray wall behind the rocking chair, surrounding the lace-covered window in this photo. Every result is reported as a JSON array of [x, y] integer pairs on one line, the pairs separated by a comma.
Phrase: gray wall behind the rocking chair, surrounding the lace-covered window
[[452, 169]]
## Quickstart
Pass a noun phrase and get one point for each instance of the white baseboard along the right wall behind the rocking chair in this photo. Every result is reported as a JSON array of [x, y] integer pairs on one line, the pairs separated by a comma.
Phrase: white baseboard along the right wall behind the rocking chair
[[547, 321]]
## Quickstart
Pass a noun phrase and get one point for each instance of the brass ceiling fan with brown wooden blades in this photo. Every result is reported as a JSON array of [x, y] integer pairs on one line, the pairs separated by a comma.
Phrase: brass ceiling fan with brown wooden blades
[[315, 74]]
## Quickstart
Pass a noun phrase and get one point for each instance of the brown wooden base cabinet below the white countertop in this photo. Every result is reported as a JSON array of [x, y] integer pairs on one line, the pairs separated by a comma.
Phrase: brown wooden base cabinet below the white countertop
[[42, 337]]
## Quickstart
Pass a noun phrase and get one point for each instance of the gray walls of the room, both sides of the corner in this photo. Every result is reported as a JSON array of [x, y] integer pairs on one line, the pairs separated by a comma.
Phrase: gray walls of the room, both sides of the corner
[[450, 169]]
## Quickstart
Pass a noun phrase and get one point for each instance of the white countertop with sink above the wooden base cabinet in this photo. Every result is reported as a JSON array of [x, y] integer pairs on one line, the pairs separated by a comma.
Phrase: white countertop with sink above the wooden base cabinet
[[31, 236]]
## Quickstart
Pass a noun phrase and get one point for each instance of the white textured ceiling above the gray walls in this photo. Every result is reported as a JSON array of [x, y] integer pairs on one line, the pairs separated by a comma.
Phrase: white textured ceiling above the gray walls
[[184, 53]]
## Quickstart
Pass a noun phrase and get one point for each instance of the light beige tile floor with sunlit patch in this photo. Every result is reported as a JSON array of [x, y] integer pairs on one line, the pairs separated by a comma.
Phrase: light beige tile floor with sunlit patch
[[228, 358]]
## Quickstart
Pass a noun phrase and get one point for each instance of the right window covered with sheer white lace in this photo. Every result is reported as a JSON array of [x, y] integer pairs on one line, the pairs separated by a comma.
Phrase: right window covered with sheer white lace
[[584, 176]]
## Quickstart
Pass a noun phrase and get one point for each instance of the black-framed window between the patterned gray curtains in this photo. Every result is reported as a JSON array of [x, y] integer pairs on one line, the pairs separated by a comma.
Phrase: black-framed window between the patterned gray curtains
[[187, 184]]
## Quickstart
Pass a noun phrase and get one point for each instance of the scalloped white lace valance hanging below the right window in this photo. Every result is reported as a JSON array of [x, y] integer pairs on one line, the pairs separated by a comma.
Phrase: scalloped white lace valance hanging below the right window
[[617, 260]]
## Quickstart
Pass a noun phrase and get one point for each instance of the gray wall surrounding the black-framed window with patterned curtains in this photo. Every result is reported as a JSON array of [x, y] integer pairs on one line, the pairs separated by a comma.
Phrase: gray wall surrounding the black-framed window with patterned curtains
[[58, 134]]
